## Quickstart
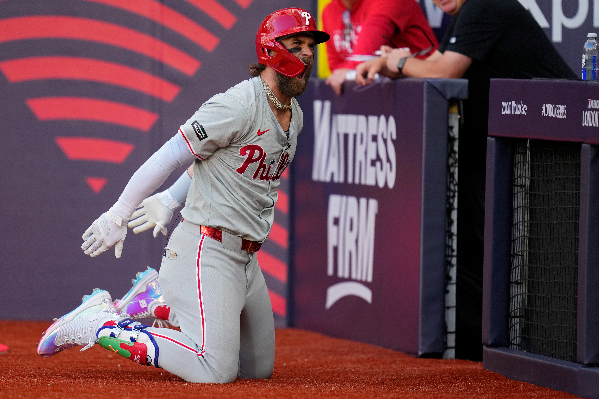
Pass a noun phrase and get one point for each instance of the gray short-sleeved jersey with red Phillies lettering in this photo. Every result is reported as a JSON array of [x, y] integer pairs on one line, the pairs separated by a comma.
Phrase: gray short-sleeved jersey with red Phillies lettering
[[243, 152]]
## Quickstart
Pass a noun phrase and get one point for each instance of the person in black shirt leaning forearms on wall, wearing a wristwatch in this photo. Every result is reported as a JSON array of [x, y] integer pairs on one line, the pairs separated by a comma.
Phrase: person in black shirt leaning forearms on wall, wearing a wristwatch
[[485, 39]]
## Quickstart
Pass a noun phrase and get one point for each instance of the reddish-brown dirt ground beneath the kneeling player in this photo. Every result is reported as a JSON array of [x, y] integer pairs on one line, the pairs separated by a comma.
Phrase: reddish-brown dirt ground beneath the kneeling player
[[307, 365]]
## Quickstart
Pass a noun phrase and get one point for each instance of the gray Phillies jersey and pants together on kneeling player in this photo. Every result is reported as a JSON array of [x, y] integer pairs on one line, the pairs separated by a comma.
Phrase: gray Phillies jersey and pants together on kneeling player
[[216, 288]]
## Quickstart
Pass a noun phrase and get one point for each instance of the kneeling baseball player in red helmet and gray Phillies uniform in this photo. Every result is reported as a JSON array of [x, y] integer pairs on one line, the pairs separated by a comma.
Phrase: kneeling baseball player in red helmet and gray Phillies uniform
[[240, 142]]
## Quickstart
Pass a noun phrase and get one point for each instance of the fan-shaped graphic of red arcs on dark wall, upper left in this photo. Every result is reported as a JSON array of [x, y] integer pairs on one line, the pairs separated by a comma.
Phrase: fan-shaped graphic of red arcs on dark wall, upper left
[[89, 46]]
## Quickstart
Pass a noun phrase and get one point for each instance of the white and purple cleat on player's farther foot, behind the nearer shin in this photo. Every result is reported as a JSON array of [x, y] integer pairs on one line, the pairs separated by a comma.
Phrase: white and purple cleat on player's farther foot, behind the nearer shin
[[144, 299]]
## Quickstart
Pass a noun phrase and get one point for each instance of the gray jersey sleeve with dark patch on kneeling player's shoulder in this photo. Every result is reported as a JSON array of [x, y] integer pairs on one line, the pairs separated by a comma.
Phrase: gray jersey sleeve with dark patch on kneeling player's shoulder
[[219, 121]]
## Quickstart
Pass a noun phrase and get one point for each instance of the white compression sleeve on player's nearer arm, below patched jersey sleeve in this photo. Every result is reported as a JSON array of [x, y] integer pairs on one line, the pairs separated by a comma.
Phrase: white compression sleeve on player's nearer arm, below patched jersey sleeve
[[173, 154]]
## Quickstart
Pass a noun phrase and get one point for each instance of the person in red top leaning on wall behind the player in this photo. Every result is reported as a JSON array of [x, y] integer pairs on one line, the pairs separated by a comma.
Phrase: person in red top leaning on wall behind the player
[[361, 27]]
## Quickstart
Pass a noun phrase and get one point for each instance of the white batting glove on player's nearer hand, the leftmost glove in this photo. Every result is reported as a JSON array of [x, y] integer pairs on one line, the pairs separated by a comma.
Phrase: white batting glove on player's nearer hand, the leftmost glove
[[108, 230]]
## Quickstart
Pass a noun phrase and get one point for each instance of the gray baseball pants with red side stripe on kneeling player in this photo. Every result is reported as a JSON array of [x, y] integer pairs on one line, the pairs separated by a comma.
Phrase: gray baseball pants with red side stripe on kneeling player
[[219, 295]]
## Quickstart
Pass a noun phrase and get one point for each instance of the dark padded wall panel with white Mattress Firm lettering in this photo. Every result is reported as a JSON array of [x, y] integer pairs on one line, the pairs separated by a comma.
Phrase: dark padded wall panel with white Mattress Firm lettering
[[358, 213]]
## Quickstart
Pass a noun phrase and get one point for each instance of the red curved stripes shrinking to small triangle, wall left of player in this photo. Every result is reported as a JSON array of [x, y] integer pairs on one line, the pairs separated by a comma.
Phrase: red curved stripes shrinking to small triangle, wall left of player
[[65, 67]]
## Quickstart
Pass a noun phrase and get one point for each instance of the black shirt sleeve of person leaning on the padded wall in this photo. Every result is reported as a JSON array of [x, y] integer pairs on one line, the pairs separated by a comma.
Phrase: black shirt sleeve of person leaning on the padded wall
[[477, 28]]
